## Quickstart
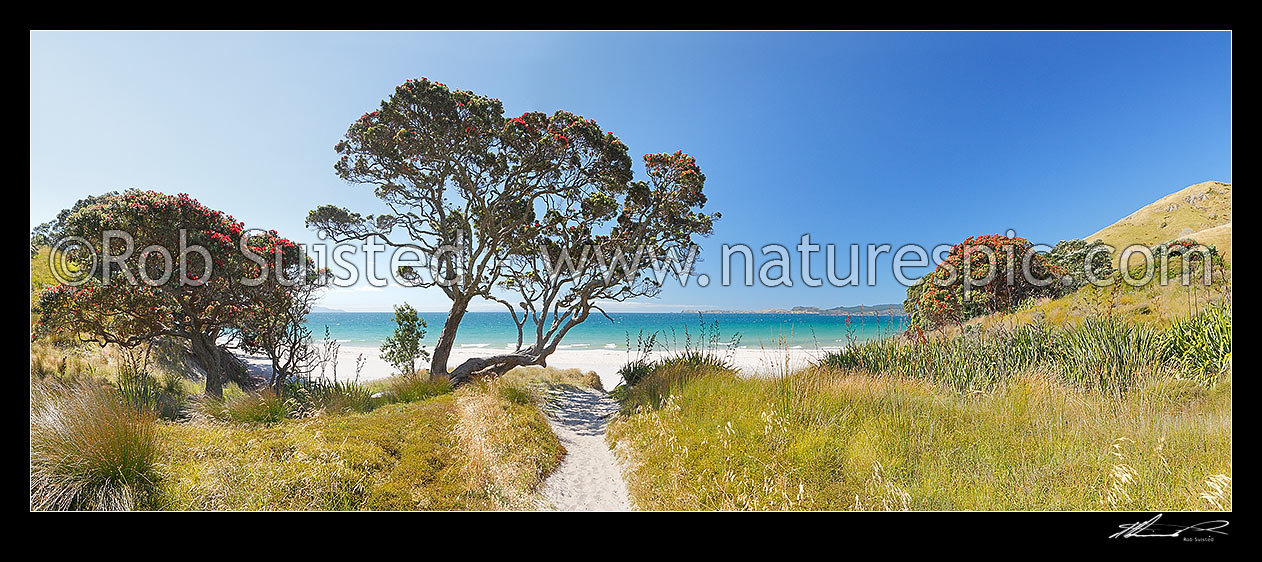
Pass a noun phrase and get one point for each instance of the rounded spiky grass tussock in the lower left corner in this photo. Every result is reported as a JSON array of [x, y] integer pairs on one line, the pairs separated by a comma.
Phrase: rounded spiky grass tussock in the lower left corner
[[90, 449]]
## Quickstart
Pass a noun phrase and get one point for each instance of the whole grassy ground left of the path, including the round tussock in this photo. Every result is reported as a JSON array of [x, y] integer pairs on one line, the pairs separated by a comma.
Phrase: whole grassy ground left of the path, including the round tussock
[[98, 443]]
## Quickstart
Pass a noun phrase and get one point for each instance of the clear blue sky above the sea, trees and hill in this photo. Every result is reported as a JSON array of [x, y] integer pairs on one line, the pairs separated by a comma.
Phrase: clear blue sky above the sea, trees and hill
[[869, 138]]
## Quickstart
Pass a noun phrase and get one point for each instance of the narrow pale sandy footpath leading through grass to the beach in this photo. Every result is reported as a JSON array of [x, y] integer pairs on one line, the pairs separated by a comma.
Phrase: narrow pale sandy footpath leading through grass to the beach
[[589, 479]]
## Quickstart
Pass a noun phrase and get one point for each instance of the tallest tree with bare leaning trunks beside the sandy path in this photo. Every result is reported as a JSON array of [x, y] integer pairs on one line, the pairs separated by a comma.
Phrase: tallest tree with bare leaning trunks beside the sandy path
[[493, 204]]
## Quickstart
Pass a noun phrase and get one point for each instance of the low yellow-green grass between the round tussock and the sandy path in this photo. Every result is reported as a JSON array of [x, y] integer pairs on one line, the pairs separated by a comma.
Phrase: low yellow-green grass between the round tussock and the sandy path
[[483, 446]]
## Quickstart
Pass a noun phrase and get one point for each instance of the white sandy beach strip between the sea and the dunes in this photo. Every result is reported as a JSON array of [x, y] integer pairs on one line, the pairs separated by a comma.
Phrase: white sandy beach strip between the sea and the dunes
[[605, 363]]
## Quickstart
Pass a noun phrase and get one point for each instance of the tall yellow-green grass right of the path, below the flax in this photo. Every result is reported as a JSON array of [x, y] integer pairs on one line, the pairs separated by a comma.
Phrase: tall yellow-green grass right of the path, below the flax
[[823, 439]]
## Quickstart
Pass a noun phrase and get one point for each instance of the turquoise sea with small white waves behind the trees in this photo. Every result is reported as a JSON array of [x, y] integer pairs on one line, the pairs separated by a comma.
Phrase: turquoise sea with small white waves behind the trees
[[497, 330]]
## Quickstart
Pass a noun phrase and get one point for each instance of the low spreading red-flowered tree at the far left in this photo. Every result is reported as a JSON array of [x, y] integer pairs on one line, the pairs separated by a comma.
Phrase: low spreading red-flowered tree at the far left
[[171, 290]]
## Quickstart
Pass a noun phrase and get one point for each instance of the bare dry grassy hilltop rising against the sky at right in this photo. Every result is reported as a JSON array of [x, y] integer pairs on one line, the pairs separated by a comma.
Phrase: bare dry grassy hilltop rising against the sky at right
[[1202, 212]]
